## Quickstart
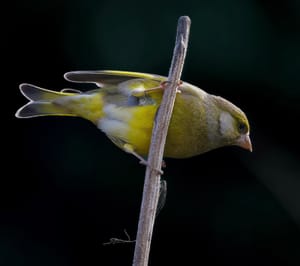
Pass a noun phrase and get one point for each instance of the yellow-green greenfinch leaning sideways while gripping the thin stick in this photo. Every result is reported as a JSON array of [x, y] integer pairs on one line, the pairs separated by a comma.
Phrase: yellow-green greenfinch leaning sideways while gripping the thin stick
[[124, 107]]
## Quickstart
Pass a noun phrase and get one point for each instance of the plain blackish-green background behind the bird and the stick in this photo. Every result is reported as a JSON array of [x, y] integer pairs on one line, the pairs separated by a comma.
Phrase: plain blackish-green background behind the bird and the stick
[[66, 189]]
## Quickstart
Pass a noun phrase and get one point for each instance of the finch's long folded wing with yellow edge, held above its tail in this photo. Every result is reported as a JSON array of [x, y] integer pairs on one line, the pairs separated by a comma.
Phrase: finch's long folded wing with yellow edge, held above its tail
[[109, 77]]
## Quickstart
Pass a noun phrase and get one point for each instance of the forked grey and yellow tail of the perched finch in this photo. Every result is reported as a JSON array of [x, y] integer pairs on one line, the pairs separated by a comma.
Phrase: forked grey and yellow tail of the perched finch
[[41, 102]]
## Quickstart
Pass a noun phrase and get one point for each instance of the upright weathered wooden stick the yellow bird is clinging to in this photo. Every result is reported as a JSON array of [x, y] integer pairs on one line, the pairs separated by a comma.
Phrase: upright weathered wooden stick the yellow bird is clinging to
[[158, 140]]
